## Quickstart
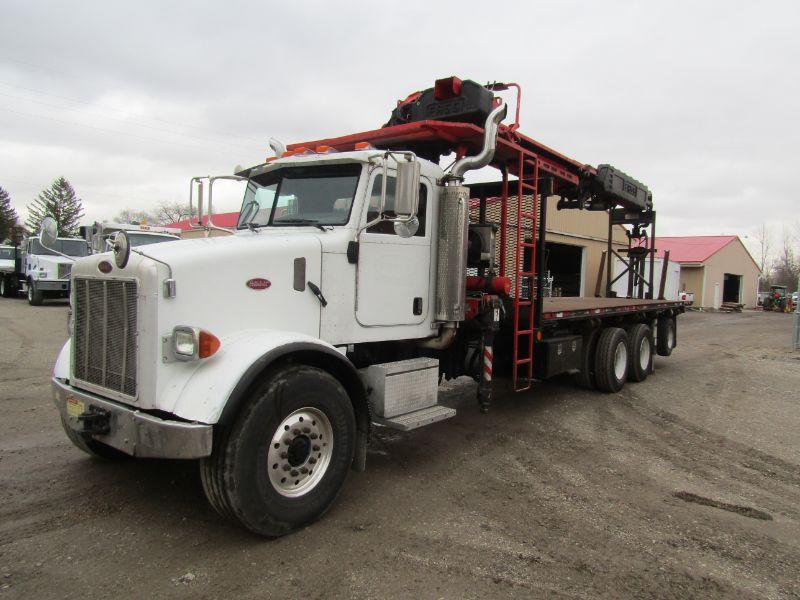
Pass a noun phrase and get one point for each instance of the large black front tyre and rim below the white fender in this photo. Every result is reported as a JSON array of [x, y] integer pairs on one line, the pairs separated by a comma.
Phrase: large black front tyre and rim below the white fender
[[284, 460]]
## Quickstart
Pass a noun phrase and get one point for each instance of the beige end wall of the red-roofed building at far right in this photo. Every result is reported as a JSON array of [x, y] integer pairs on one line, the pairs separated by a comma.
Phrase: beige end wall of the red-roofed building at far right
[[736, 260]]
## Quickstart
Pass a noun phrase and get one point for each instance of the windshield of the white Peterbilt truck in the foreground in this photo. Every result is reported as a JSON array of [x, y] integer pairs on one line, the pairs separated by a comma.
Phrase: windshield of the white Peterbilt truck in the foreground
[[318, 195]]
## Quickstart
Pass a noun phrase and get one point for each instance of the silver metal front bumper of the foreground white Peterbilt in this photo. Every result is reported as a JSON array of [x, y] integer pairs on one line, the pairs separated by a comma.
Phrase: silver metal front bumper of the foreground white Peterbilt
[[130, 430]]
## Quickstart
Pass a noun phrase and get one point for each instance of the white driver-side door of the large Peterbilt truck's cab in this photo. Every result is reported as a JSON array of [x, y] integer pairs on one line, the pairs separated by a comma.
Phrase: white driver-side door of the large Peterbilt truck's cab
[[393, 273]]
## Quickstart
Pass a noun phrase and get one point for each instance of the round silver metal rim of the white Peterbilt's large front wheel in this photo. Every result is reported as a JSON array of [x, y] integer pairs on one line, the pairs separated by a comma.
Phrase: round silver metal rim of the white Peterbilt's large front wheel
[[300, 452]]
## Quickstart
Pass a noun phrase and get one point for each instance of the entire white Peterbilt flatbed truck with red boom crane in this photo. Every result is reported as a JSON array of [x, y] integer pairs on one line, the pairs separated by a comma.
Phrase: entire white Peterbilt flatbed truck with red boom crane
[[359, 275]]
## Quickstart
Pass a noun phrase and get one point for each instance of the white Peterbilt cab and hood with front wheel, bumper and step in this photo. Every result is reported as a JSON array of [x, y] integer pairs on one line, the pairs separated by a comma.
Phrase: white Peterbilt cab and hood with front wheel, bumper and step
[[244, 351]]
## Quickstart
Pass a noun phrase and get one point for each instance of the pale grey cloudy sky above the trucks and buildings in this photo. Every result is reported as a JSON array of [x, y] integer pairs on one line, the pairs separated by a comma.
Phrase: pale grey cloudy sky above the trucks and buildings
[[129, 99]]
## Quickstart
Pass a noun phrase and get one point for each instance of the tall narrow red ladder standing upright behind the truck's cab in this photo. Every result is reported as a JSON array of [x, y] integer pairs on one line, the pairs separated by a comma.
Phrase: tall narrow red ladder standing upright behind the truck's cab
[[528, 174]]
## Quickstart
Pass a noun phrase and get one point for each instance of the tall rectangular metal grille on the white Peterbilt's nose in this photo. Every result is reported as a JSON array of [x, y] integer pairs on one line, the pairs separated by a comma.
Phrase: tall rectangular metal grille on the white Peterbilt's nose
[[104, 338]]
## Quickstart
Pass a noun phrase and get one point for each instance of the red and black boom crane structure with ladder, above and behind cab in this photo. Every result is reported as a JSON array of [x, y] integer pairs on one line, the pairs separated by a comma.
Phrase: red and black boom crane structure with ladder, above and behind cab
[[539, 172]]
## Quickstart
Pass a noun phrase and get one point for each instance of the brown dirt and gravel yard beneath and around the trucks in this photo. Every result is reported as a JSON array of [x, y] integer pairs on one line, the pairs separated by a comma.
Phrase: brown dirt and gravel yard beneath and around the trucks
[[686, 485]]
